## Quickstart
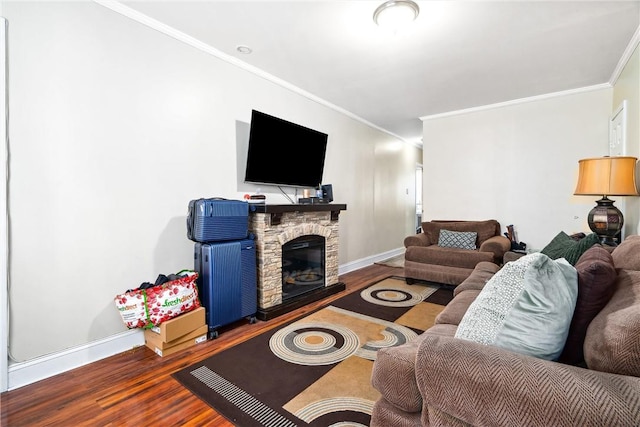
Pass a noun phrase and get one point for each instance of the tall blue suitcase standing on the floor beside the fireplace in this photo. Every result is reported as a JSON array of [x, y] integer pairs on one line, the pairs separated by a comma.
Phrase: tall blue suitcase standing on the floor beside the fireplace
[[227, 282]]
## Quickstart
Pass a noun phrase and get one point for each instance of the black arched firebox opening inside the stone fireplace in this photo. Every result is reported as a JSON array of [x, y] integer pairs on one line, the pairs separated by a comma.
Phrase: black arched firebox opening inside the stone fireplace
[[302, 266]]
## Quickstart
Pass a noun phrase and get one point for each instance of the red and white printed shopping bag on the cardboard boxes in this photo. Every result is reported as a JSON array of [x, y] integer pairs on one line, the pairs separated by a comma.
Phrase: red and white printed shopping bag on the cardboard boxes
[[145, 308]]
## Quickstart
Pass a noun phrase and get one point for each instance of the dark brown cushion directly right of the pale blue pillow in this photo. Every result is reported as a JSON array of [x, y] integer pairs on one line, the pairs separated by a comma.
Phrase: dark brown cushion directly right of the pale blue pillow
[[596, 278]]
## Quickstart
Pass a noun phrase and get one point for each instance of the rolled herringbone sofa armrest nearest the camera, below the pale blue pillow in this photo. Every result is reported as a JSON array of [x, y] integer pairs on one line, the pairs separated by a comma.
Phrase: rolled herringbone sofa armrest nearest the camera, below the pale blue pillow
[[486, 385]]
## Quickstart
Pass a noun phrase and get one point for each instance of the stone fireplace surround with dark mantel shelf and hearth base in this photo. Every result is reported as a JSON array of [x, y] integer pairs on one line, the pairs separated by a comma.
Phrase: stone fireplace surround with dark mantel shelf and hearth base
[[275, 225]]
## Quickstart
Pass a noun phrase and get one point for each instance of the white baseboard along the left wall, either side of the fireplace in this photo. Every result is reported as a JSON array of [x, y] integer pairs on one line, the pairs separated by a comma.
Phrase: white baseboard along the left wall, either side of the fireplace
[[34, 370]]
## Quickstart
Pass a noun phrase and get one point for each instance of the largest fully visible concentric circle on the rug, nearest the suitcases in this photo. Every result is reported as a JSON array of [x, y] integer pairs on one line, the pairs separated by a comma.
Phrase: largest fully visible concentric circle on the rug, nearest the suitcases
[[314, 343]]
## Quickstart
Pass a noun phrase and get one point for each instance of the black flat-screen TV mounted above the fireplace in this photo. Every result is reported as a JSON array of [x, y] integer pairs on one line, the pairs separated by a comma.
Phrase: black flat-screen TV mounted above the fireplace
[[284, 153]]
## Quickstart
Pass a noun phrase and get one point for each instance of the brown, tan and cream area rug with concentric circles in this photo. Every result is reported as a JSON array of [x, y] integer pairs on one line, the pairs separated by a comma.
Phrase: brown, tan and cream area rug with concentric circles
[[316, 371]]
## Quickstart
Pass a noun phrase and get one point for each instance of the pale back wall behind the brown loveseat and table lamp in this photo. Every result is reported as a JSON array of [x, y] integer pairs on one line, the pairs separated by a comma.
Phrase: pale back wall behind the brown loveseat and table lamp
[[516, 163]]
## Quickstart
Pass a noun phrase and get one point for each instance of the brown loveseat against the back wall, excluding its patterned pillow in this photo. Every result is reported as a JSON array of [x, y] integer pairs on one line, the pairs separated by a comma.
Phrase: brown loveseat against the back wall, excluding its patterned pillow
[[426, 259]]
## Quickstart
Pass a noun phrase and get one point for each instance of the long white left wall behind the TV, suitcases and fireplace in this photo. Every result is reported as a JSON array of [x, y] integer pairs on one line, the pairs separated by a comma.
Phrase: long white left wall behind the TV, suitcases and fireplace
[[114, 128]]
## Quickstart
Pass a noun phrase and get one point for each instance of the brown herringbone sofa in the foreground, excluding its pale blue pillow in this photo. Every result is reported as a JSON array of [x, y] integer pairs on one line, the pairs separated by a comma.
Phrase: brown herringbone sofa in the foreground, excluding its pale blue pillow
[[440, 380]]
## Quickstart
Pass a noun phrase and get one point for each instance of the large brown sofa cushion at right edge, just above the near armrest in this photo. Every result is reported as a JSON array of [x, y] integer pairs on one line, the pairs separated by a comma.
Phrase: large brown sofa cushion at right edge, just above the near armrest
[[612, 343]]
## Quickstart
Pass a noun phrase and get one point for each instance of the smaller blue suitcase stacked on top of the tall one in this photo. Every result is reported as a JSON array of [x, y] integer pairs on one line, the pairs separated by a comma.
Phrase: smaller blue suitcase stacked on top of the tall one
[[217, 219]]
